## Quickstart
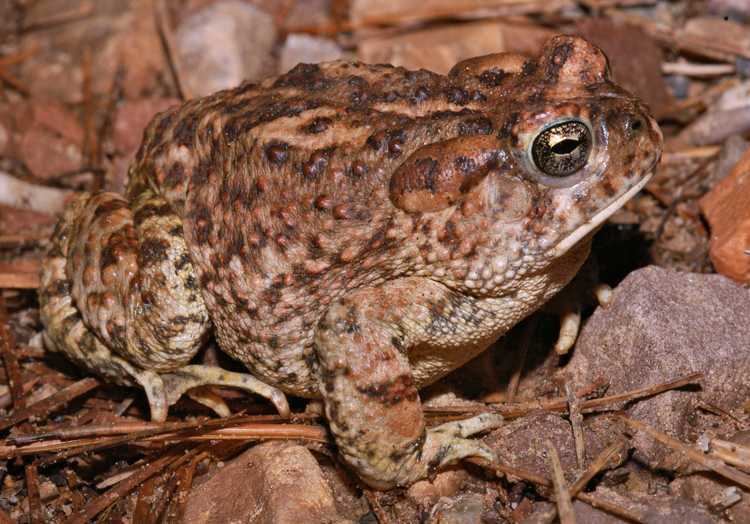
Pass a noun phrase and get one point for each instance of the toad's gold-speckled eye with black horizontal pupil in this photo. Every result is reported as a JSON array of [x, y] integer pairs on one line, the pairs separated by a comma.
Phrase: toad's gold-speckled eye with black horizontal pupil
[[562, 149]]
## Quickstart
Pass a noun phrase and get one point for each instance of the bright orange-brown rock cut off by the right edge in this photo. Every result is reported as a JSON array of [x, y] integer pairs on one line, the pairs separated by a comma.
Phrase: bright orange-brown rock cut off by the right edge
[[727, 209]]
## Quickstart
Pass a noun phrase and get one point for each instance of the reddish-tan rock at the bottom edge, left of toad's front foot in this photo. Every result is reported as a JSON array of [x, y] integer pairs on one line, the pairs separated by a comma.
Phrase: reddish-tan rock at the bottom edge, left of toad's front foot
[[274, 482]]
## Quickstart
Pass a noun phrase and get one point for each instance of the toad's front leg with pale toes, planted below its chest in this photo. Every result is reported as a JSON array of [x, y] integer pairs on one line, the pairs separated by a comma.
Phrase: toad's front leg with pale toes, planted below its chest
[[370, 395]]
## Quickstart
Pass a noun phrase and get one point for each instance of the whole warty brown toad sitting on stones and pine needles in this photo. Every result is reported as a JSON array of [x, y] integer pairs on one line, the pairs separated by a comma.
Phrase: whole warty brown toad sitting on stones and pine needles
[[352, 232]]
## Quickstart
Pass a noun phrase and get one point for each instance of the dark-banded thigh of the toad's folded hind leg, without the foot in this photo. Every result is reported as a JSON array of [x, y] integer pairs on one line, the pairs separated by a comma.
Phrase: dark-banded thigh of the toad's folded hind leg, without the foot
[[130, 278]]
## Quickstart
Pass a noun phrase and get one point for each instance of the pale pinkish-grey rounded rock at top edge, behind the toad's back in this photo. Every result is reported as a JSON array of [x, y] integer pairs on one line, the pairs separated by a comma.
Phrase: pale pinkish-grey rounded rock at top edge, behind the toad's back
[[223, 44]]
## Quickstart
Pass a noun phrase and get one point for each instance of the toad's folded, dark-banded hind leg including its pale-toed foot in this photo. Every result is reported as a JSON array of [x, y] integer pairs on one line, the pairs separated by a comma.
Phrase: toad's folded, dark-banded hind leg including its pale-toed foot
[[119, 298]]
